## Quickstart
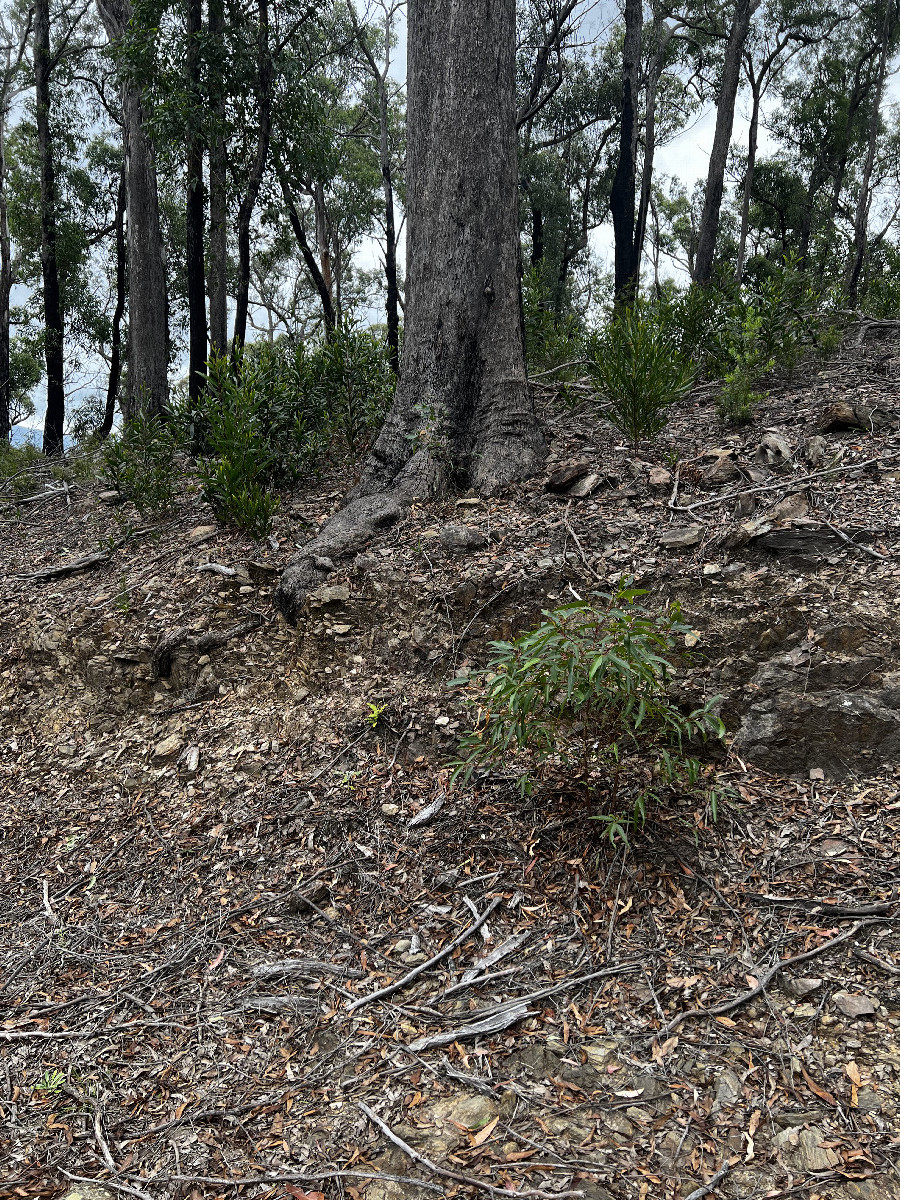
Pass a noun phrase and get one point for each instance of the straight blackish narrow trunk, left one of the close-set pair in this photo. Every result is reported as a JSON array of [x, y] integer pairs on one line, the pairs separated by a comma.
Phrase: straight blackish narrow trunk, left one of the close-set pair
[[195, 214]]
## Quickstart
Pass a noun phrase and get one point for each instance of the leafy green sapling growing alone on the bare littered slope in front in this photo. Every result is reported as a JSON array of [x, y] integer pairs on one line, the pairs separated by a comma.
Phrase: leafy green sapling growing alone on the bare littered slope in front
[[583, 701]]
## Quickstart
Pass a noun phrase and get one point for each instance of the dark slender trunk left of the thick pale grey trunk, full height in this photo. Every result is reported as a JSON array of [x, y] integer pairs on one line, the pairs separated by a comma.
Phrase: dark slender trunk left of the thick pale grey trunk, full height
[[52, 302]]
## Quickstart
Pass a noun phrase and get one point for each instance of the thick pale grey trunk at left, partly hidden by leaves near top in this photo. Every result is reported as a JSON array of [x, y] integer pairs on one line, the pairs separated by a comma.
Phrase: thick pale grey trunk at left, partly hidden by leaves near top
[[148, 308]]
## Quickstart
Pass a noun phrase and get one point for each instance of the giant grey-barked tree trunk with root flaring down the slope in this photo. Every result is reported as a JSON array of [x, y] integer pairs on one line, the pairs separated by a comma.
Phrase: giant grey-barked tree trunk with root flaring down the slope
[[463, 412]]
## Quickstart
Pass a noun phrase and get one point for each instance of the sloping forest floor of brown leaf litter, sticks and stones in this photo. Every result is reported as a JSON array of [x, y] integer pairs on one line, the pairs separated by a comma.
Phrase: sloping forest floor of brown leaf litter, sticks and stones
[[211, 856]]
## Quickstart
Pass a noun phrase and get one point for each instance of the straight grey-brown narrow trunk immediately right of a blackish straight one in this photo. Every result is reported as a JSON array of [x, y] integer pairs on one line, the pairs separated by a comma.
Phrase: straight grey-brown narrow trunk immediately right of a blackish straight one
[[218, 197]]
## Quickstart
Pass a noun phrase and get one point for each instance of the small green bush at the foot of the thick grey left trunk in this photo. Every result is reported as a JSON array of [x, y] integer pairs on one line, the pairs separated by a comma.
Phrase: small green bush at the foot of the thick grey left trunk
[[141, 463]]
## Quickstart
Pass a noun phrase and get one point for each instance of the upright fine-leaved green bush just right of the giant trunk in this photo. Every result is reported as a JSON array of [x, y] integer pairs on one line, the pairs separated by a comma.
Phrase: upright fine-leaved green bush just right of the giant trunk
[[639, 371]]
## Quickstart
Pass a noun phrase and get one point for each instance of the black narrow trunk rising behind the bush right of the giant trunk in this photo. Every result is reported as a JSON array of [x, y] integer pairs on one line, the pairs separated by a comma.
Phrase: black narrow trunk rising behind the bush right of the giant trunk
[[622, 197]]
